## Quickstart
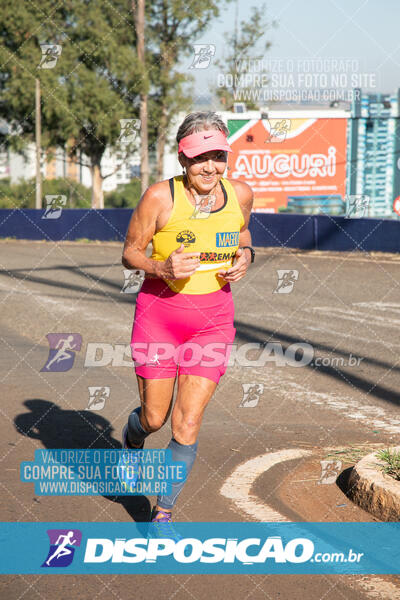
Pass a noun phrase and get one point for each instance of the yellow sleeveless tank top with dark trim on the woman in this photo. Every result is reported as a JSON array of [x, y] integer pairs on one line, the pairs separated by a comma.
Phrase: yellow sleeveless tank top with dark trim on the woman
[[215, 235]]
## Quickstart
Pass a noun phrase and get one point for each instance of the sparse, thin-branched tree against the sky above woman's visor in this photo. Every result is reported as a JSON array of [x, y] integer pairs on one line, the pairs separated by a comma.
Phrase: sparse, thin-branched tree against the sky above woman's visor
[[244, 73]]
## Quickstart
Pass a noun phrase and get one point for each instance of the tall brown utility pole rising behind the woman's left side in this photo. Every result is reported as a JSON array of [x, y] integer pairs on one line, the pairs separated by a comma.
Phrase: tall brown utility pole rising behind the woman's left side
[[139, 16]]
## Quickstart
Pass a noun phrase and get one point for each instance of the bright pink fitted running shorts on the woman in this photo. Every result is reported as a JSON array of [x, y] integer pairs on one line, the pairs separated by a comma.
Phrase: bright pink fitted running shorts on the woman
[[187, 331]]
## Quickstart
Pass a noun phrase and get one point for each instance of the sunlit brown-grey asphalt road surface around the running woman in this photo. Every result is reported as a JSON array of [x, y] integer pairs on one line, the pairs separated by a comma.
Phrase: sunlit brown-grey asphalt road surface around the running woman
[[342, 402]]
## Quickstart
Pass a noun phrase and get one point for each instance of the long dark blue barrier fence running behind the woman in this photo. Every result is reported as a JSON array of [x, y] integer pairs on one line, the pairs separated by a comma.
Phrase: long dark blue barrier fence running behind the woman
[[306, 232]]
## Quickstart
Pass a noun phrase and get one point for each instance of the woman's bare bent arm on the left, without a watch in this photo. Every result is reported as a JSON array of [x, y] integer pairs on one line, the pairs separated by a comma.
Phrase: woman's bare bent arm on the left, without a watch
[[141, 230]]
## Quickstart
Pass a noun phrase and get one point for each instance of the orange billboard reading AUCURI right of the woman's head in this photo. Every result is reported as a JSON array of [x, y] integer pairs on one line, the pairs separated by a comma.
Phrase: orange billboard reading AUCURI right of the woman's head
[[288, 157]]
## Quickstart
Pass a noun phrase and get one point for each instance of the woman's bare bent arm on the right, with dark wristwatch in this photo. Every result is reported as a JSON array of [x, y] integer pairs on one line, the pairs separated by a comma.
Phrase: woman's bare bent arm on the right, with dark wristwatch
[[244, 194]]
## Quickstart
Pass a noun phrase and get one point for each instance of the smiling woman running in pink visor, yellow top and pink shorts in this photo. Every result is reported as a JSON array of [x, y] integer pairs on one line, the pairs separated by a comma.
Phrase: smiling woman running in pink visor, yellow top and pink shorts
[[183, 326]]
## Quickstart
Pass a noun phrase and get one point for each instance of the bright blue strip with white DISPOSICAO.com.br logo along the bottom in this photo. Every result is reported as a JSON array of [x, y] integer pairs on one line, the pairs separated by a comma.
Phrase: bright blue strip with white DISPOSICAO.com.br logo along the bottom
[[208, 548]]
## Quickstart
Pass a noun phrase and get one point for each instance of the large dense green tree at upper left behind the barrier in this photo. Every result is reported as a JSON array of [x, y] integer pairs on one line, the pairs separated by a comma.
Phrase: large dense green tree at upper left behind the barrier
[[95, 82]]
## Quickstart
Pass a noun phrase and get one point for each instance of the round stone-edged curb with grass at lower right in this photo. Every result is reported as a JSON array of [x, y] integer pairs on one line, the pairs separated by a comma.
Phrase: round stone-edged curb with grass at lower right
[[373, 490]]
